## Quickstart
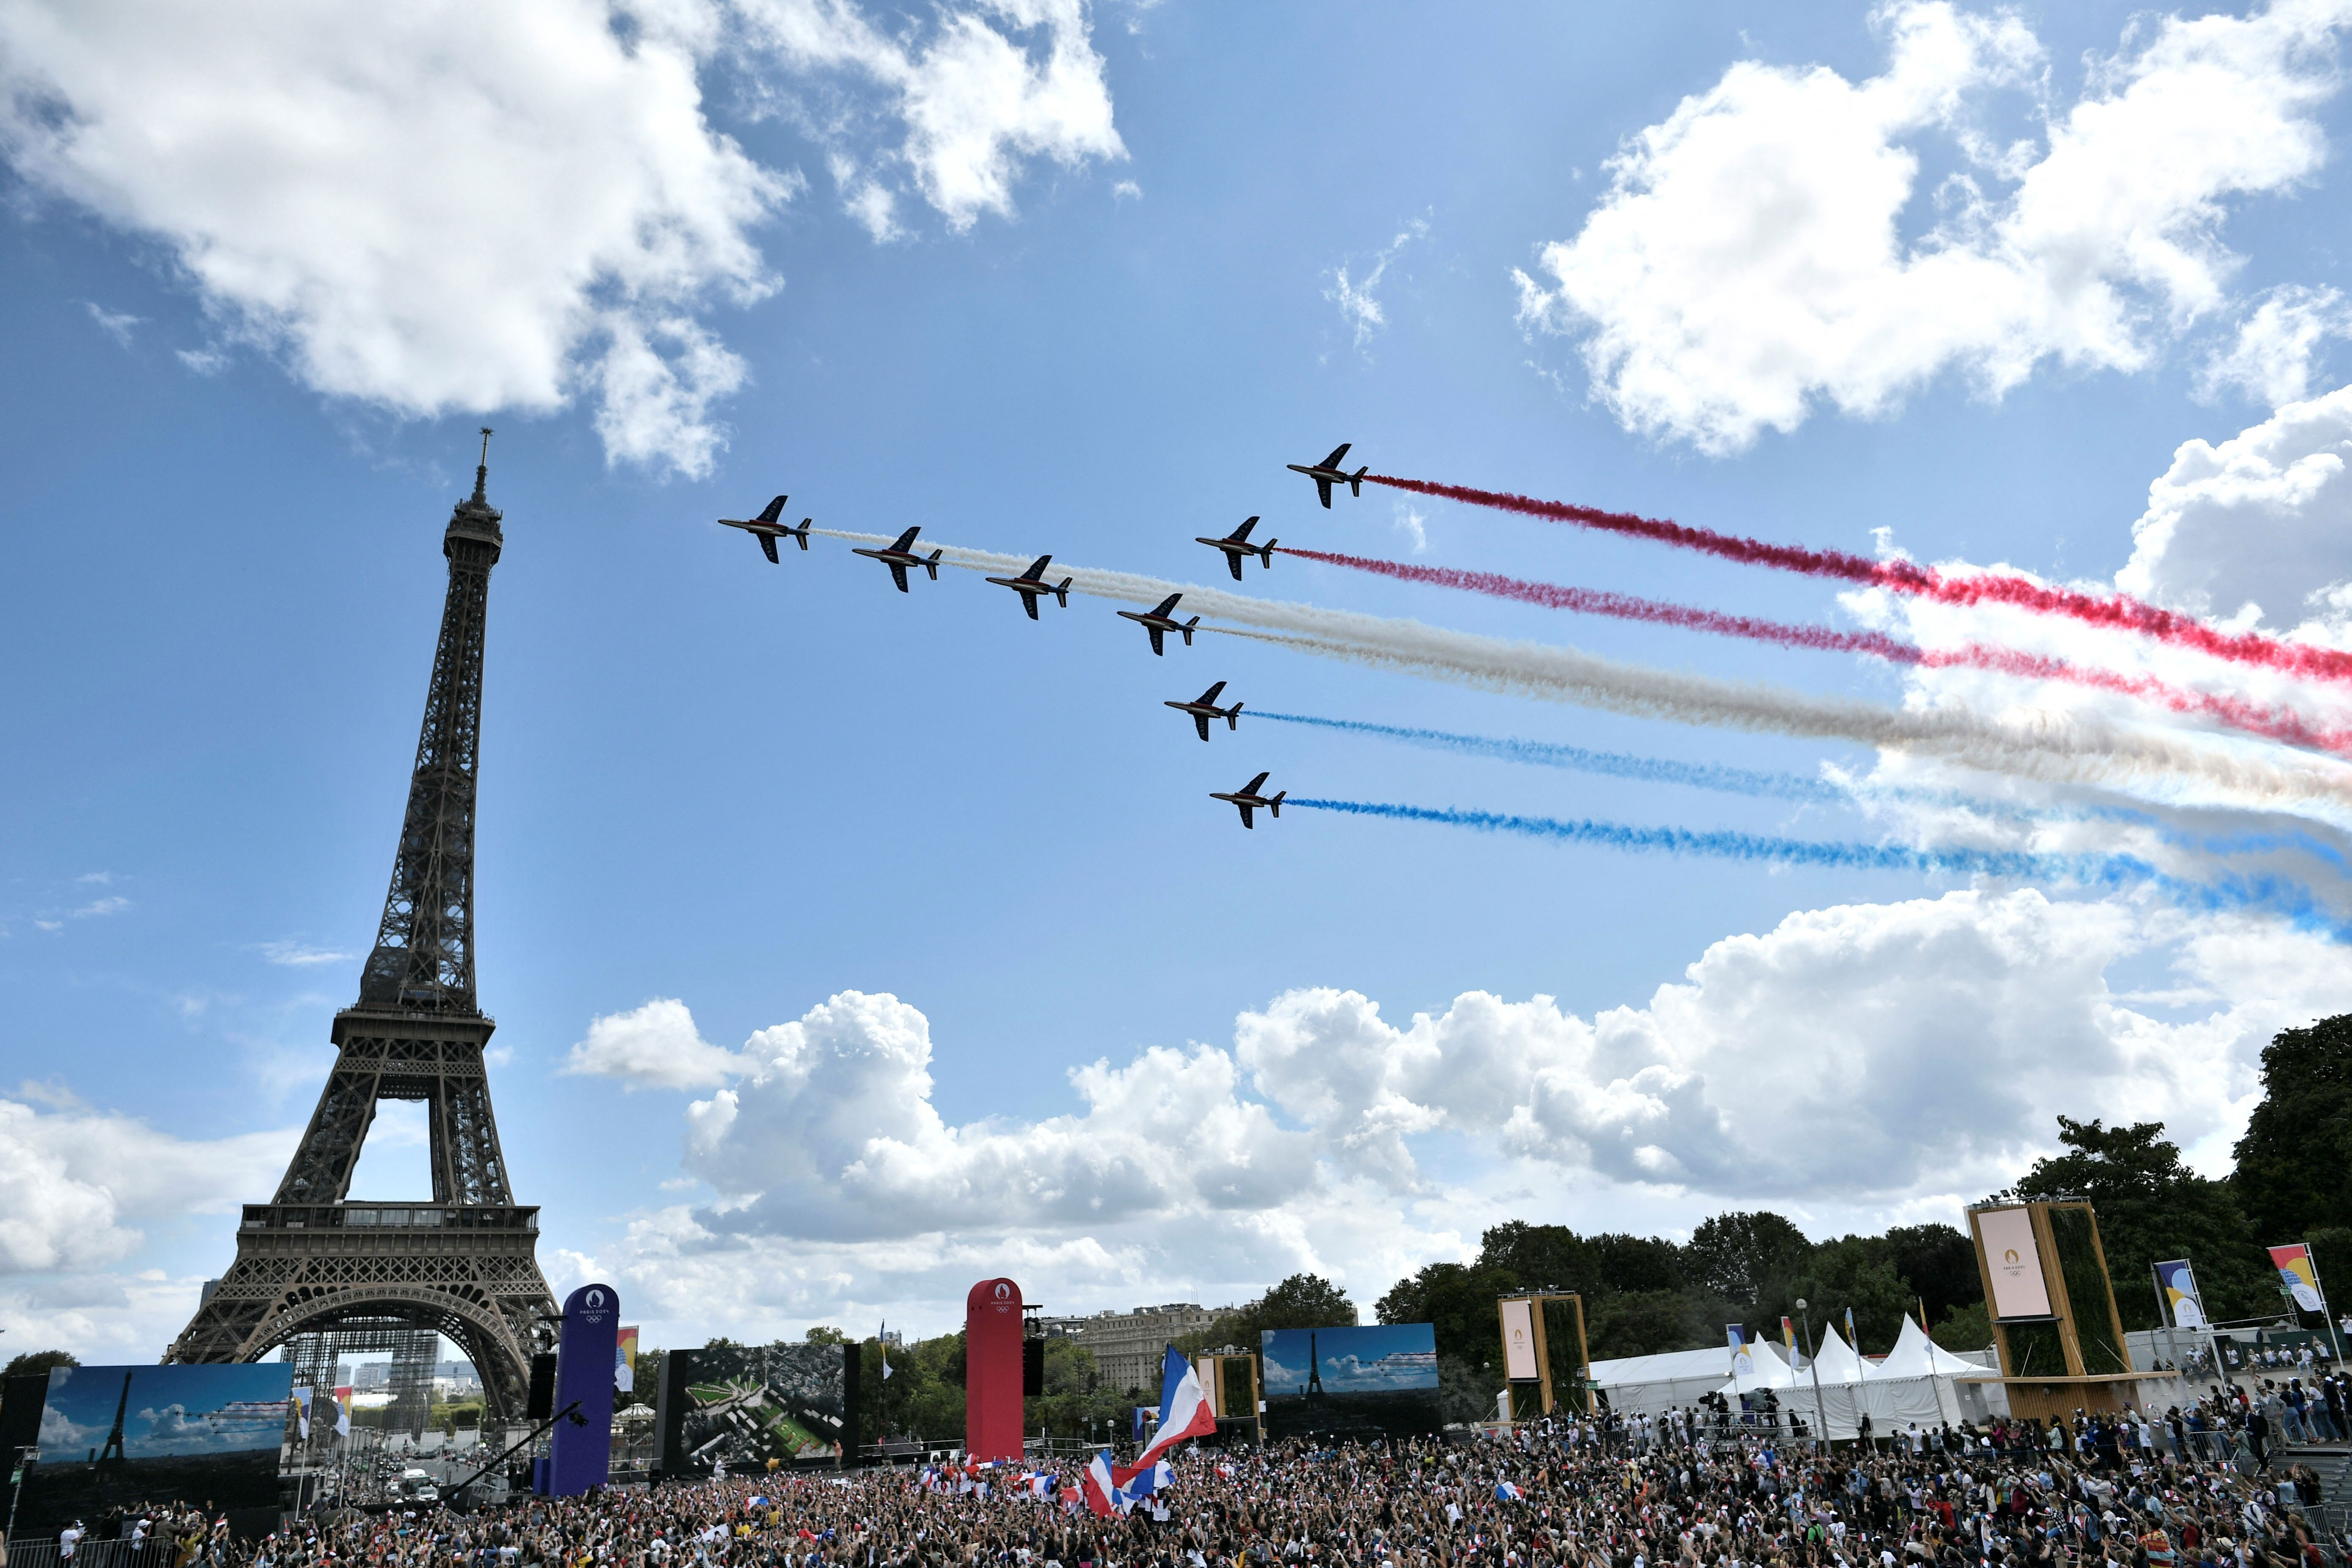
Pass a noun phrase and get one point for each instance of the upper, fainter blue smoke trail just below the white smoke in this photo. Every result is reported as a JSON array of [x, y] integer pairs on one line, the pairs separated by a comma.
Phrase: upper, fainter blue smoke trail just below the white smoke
[[1798, 786]]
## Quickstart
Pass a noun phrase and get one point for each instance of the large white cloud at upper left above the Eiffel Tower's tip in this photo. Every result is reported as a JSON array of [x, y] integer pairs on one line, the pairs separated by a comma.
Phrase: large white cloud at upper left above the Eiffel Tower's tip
[[427, 208]]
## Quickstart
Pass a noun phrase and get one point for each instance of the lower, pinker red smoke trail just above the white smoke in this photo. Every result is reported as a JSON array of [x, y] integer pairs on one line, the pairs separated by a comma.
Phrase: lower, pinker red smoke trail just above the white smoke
[[2252, 718]]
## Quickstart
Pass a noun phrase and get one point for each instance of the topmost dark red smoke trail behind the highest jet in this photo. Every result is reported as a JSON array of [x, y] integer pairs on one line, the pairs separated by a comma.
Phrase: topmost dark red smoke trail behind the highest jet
[[2118, 612]]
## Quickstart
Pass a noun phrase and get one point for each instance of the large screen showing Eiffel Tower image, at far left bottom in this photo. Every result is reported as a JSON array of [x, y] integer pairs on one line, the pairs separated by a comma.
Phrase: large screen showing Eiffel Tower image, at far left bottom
[[126, 1435]]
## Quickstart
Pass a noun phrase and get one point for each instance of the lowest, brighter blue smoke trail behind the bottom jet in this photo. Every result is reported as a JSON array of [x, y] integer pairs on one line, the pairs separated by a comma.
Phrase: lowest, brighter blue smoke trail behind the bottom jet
[[2231, 894]]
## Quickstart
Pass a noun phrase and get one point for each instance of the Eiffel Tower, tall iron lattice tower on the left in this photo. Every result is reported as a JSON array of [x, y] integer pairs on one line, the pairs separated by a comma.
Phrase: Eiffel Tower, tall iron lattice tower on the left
[[465, 1264]]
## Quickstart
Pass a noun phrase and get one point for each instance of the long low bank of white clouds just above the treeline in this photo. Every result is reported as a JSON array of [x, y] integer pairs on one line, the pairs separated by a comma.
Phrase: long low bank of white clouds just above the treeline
[[1847, 1066]]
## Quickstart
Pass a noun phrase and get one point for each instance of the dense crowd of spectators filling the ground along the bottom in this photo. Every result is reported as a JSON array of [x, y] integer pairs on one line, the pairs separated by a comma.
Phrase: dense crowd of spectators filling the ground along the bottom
[[1681, 1492]]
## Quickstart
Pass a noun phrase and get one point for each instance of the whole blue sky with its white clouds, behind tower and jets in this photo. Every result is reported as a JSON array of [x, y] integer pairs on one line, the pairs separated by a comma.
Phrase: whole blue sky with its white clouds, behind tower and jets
[[850, 946]]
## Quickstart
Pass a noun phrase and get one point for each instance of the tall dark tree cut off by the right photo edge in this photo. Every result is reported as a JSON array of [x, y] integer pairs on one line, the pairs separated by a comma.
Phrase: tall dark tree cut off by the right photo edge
[[2294, 1165]]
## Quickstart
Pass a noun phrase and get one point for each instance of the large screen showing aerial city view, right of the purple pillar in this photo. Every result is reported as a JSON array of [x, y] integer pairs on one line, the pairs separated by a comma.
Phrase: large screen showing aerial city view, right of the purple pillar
[[749, 1405]]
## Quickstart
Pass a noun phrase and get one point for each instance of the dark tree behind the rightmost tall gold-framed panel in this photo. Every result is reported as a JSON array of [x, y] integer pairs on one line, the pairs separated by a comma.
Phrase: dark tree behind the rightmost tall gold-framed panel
[[2153, 1207]]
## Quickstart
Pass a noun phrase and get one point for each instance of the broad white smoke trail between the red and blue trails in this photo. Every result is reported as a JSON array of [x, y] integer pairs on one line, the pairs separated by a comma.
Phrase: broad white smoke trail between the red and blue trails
[[2029, 742]]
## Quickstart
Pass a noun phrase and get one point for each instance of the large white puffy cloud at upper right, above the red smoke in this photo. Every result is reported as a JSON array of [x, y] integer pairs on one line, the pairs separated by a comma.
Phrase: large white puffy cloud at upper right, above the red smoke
[[1749, 257]]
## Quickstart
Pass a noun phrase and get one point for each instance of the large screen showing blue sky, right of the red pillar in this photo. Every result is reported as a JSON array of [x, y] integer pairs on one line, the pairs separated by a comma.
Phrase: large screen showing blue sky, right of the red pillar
[[1375, 1381]]
